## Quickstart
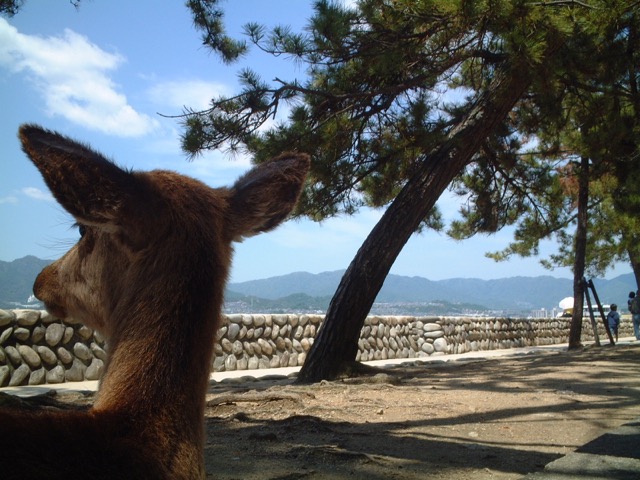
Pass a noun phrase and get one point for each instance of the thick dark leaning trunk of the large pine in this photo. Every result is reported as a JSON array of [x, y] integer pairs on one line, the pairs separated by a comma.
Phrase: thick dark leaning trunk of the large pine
[[336, 344]]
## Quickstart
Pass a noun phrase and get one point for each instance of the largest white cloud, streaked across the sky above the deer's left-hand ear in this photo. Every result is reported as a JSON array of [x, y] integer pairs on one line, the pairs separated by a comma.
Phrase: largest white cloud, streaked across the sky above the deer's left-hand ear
[[72, 75]]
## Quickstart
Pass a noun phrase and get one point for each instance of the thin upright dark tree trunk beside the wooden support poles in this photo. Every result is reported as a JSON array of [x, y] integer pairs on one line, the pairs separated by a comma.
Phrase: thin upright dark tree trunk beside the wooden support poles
[[575, 330]]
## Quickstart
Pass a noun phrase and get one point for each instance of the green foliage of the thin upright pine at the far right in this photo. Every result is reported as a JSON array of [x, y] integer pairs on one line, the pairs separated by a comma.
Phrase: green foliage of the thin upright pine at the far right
[[593, 110]]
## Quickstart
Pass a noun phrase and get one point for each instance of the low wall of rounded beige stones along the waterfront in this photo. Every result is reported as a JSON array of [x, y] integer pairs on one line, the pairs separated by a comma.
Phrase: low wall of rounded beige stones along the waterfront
[[36, 348]]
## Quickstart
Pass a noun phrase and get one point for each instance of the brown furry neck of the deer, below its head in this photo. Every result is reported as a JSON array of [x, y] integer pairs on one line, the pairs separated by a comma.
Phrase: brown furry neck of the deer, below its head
[[159, 363]]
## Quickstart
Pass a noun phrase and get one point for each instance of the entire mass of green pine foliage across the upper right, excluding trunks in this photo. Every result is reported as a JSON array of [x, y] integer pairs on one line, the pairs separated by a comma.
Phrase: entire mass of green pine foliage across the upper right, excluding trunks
[[370, 109]]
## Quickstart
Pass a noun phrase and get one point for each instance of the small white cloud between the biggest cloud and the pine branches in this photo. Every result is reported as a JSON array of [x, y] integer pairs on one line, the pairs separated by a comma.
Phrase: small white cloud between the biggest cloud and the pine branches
[[194, 94]]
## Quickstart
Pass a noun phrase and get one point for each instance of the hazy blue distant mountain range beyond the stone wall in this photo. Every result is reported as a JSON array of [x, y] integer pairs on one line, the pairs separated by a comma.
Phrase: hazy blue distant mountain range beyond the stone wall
[[301, 291]]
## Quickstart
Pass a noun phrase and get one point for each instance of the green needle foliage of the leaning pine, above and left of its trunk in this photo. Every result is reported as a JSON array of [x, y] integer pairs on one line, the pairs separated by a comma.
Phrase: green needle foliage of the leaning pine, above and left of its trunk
[[370, 106]]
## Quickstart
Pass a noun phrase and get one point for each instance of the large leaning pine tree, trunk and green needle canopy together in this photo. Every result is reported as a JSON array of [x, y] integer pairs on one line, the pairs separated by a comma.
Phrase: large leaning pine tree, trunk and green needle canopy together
[[370, 113]]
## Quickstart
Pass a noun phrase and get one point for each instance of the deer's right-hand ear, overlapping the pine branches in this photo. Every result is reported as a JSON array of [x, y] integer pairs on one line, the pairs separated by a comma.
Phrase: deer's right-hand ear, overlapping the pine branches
[[264, 196]]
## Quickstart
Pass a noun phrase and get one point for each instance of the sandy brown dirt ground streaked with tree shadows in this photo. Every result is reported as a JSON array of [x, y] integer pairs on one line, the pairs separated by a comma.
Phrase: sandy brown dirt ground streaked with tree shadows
[[472, 418]]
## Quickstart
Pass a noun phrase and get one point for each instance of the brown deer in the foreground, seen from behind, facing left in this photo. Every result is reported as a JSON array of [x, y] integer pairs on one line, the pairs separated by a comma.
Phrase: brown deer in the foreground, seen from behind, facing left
[[148, 272]]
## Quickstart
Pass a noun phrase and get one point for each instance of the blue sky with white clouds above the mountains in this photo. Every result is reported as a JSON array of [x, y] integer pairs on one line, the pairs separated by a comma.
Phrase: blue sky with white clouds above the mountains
[[109, 73]]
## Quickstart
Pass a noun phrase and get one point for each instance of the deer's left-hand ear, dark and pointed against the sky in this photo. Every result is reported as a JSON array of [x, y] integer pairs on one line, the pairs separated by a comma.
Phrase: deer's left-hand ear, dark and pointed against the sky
[[86, 184]]
